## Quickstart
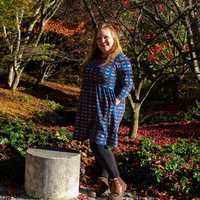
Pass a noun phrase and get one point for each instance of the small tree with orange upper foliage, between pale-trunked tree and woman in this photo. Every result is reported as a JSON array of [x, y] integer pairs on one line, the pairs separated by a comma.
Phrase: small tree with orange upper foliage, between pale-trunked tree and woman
[[59, 36]]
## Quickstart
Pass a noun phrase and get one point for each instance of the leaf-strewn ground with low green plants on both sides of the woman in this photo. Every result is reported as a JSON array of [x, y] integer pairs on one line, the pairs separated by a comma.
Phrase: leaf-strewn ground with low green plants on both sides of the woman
[[162, 162]]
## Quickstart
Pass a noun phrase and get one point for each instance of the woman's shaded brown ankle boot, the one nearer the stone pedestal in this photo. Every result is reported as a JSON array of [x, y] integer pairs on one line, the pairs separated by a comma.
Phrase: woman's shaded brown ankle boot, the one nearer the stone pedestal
[[102, 188]]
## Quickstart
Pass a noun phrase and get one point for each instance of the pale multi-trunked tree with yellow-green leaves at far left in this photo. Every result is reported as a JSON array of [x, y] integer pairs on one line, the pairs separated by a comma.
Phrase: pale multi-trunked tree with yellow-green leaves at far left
[[19, 20]]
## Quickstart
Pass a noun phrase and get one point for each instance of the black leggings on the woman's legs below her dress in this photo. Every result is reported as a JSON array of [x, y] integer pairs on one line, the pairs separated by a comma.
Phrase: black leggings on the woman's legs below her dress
[[105, 161]]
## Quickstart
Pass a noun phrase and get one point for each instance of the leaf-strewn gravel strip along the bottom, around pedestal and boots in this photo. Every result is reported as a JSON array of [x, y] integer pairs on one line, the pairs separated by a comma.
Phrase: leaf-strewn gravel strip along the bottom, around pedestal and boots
[[82, 195]]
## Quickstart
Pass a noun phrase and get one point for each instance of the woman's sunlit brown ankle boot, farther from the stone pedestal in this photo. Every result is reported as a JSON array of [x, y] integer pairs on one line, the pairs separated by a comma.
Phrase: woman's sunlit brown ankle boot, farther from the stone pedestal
[[118, 188]]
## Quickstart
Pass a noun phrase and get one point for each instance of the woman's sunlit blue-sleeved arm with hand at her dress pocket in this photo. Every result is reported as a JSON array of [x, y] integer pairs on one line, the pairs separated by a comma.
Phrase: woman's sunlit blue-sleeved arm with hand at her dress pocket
[[125, 76]]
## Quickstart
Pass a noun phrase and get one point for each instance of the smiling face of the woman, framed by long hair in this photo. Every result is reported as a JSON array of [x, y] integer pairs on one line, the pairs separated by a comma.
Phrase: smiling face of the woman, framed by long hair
[[105, 41]]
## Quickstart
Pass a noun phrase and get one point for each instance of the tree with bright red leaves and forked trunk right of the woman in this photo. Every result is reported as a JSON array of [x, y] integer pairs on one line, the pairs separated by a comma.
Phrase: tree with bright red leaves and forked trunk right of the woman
[[158, 36]]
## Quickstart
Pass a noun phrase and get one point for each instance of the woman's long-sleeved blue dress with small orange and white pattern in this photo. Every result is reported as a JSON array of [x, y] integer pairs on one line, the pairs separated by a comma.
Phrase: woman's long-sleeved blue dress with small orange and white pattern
[[97, 117]]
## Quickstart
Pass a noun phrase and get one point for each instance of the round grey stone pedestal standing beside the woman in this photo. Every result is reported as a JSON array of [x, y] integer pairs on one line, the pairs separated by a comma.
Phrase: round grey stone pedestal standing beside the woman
[[52, 173]]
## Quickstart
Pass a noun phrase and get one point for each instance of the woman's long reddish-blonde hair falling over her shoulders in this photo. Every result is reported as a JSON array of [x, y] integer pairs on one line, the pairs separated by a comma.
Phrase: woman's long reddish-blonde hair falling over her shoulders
[[96, 52]]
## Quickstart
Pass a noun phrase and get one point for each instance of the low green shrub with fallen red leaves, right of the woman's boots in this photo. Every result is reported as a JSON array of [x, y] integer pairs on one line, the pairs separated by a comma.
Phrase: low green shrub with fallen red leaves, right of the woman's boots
[[167, 167]]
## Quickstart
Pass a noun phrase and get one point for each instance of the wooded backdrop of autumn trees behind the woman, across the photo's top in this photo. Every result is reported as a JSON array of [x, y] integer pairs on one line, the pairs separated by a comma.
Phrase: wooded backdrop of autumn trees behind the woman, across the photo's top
[[51, 38]]
